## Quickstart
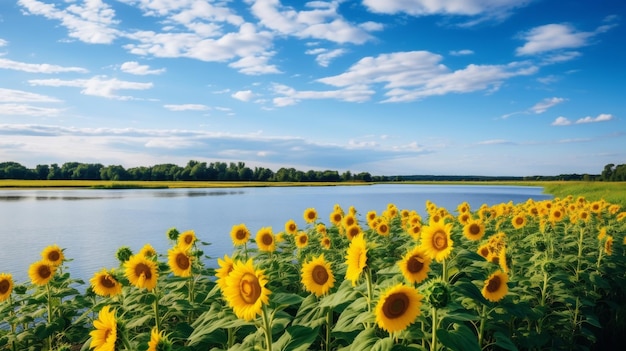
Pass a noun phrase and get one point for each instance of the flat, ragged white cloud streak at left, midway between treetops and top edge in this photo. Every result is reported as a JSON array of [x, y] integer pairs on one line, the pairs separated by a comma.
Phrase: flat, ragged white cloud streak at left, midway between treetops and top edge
[[95, 86]]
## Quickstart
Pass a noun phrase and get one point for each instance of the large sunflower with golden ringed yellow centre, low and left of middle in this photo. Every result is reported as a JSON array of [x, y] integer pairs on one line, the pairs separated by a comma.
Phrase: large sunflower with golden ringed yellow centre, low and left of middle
[[245, 290]]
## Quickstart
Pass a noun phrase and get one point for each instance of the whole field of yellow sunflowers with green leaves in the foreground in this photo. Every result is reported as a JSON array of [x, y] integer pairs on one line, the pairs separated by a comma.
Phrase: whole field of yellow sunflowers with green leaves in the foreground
[[536, 275]]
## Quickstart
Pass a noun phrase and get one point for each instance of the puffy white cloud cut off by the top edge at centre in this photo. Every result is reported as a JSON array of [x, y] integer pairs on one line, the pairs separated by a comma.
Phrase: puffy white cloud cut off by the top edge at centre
[[322, 21]]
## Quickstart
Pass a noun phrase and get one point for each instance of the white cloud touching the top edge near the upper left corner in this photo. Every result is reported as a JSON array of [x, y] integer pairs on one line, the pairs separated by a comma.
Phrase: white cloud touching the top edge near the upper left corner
[[90, 21]]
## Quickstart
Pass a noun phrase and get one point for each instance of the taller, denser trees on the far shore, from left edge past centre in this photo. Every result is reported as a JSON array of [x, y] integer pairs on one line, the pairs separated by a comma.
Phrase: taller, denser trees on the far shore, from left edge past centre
[[194, 170]]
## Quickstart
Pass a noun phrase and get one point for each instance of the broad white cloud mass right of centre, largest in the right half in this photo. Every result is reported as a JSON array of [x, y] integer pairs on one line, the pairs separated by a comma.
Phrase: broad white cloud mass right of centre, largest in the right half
[[409, 76]]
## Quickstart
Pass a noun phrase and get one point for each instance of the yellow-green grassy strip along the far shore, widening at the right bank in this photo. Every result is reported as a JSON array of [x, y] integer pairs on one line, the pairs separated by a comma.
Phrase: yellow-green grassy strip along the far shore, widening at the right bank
[[613, 192]]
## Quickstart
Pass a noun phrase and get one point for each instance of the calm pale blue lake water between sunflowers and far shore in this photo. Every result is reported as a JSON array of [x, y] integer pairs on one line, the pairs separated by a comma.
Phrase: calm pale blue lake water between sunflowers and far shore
[[92, 224]]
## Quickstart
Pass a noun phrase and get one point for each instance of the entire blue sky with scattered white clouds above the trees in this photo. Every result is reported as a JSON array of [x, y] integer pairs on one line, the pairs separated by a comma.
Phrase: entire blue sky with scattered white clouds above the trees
[[449, 87]]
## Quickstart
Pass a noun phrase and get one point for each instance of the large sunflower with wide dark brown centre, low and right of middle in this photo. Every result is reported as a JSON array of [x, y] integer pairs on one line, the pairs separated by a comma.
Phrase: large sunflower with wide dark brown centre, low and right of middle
[[398, 307]]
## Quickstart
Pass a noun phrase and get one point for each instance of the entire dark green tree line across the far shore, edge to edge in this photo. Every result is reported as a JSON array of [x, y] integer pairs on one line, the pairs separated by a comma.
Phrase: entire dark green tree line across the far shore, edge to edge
[[238, 171]]
